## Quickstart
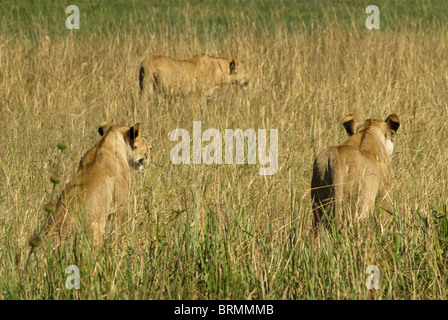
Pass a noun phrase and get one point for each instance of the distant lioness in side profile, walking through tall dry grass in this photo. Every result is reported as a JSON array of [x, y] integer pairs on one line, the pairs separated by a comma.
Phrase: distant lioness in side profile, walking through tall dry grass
[[201, 74]]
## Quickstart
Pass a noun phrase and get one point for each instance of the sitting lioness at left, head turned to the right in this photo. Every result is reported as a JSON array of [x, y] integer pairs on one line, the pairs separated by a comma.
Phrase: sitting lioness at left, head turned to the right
[[100, 187]]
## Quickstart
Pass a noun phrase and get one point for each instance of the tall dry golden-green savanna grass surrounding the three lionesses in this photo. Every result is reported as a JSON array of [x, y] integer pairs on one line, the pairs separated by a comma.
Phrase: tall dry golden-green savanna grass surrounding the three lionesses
[[225, 231]]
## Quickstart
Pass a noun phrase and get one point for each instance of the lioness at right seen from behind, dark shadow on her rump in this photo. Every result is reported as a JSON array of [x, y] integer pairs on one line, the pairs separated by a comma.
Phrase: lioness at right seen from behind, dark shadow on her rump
[[354, 173]]
